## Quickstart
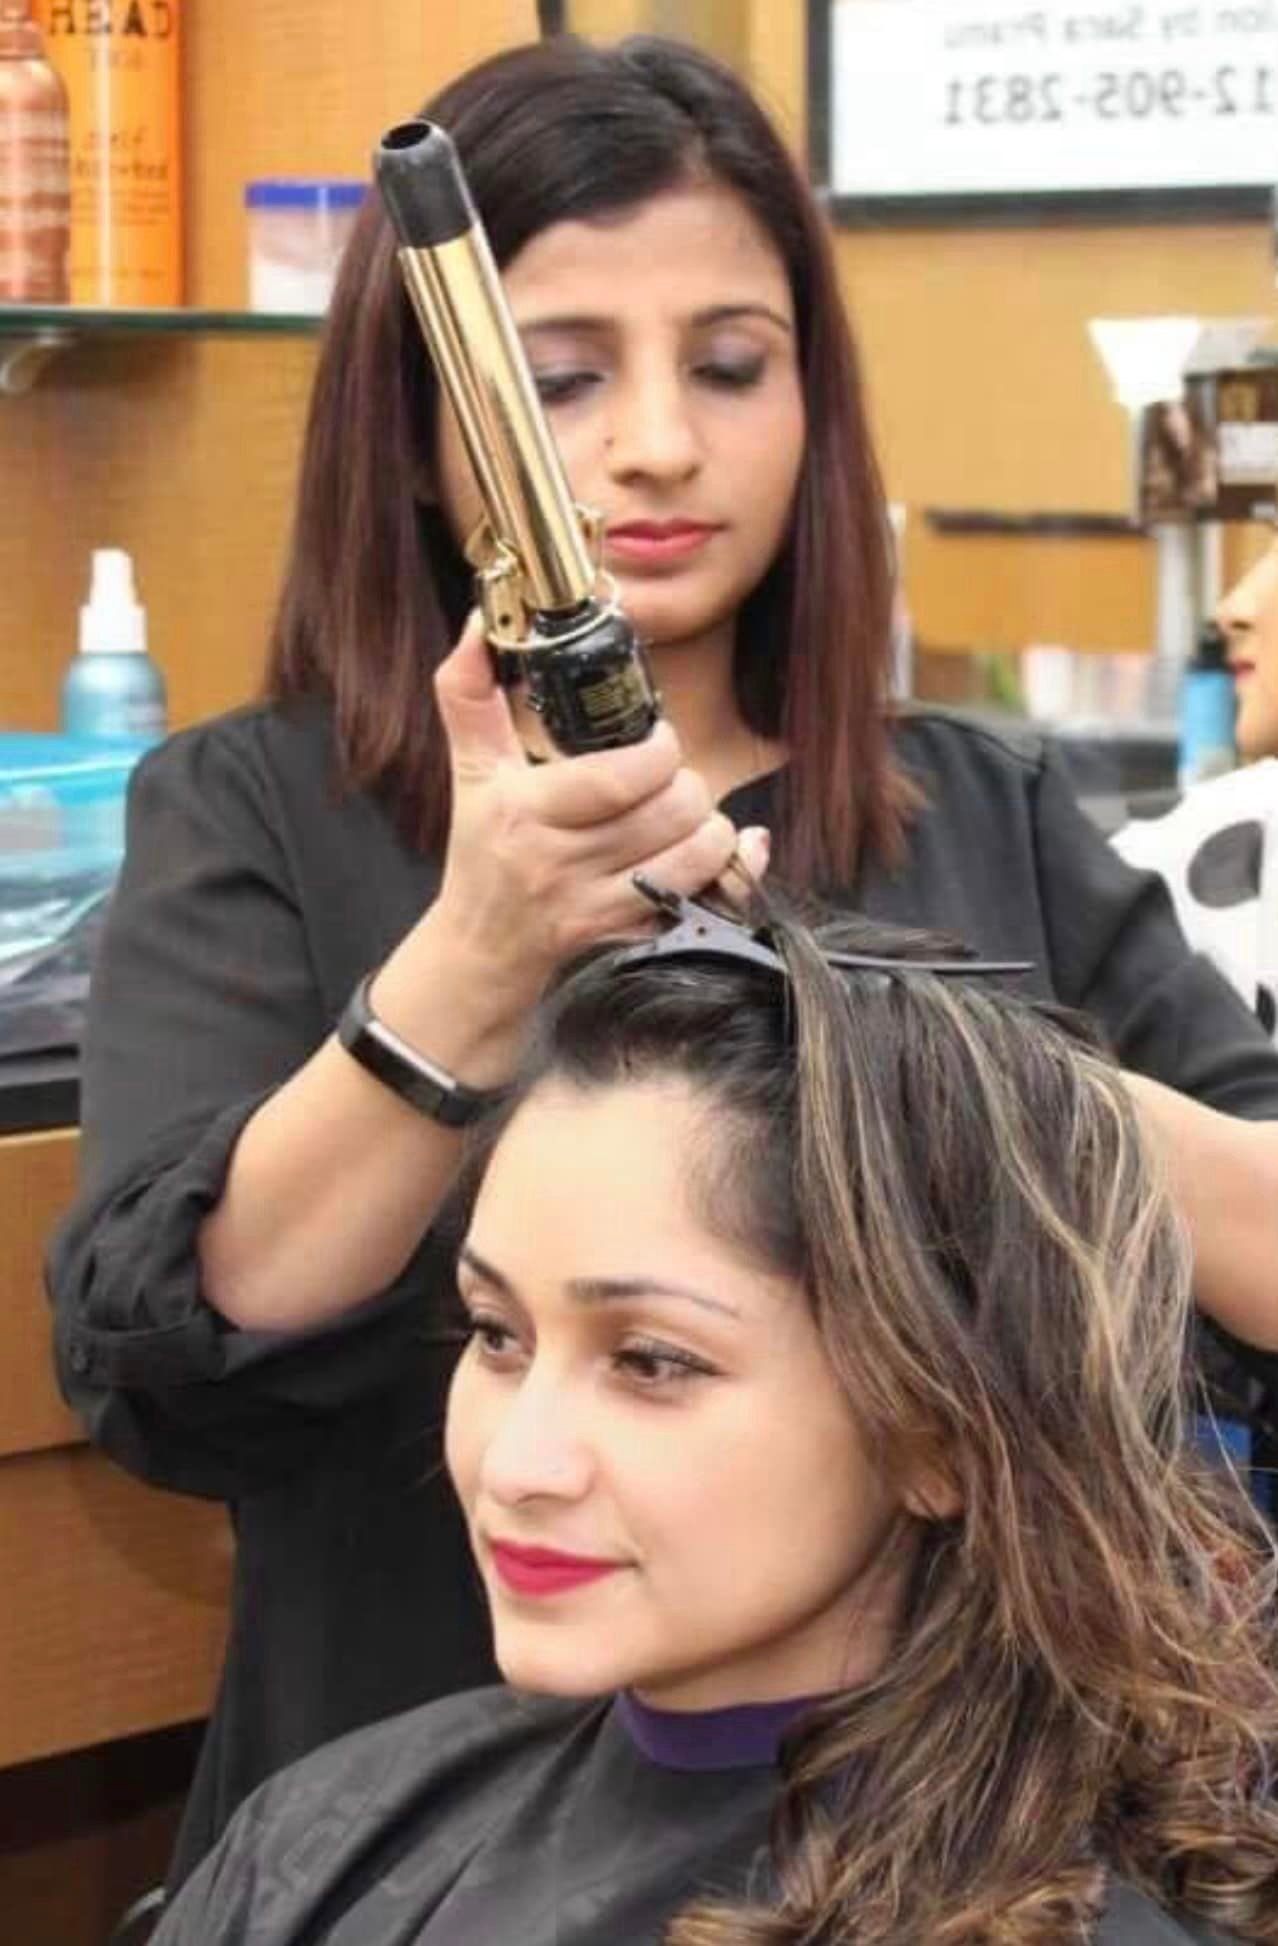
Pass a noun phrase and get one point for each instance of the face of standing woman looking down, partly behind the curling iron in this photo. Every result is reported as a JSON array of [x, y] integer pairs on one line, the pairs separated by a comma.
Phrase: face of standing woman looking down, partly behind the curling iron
[[664, 349]]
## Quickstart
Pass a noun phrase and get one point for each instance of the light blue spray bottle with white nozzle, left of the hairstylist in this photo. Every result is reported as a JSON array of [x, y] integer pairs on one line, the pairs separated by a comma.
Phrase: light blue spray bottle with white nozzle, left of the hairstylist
[[114, 688]]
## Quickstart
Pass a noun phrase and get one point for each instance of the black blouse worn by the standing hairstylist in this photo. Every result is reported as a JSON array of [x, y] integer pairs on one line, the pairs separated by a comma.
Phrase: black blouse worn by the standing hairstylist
[[250, 906]]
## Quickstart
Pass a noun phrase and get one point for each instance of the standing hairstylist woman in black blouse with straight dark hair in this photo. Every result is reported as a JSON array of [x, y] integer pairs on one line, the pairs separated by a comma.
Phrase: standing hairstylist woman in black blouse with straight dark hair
[[252, 1299]]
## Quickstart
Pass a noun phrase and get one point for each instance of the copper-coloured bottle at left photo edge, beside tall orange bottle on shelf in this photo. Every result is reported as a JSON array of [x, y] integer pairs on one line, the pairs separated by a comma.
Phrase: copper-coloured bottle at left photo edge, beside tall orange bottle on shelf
[[34, 166]]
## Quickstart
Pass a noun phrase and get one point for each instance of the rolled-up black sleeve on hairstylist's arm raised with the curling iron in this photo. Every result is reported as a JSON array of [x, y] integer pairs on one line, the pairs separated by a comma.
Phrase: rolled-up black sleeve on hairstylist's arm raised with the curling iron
[[203, 1003]]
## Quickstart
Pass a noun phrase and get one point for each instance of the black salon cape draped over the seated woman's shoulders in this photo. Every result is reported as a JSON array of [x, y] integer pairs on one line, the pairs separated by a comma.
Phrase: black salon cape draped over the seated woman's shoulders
[[499, 1820]]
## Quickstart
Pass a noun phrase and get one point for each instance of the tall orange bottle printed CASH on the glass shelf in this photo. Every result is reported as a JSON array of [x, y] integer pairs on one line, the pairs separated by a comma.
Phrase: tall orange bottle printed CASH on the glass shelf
[[120, 61]]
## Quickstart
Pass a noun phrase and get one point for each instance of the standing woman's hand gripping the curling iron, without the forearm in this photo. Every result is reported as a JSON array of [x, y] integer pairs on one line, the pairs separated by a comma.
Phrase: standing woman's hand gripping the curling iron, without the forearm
[[542, 857]]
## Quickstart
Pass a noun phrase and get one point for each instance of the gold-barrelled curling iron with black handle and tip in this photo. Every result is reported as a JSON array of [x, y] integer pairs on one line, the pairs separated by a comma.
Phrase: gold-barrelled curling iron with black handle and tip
[[550, 610]]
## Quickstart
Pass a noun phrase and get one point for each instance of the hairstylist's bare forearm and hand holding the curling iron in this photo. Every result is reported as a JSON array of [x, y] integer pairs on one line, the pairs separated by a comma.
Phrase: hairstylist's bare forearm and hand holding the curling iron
[[336, 1178]]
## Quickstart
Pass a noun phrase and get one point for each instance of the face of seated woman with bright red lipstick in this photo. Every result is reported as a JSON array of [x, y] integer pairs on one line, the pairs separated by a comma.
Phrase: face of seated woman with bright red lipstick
[[664, 1484]]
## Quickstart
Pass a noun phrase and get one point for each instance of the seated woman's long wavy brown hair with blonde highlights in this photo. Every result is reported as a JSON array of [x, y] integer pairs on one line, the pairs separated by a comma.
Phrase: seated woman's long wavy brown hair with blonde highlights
[[1084, 1675]]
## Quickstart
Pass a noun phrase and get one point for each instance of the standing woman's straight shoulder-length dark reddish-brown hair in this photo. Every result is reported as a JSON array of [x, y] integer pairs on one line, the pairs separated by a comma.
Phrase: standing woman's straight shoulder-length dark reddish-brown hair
[[376, 591]]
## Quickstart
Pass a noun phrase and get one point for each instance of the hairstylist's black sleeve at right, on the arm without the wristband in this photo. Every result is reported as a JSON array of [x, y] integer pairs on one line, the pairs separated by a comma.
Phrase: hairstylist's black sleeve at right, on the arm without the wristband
[[1119, 955]]
